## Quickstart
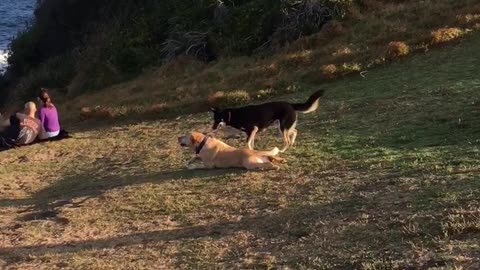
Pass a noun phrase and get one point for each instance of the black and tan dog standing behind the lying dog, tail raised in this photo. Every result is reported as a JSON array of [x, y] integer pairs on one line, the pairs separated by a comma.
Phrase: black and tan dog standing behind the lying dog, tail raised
[[254, 118]]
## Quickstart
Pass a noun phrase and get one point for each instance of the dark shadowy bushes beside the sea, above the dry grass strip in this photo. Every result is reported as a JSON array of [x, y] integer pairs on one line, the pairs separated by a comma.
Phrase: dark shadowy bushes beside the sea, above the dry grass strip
[[120, 38]]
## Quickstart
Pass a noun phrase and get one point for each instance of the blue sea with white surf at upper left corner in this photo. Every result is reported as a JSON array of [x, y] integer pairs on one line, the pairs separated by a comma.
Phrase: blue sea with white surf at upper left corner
[[14, 15]]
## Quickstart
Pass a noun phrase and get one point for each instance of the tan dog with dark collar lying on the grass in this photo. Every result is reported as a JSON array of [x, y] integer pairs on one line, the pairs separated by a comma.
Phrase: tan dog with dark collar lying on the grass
[[217, 154]]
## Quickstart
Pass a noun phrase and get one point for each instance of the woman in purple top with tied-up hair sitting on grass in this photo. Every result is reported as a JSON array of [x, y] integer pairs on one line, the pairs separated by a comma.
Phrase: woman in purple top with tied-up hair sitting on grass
[[48, 114]]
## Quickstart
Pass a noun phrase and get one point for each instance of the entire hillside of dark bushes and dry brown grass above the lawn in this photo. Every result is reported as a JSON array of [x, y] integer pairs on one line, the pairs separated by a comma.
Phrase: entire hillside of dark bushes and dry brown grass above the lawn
[[258, 48]]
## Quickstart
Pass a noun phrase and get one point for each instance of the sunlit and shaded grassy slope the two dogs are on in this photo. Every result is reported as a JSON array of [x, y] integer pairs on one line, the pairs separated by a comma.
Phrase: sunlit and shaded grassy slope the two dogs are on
[[384, 175]]
